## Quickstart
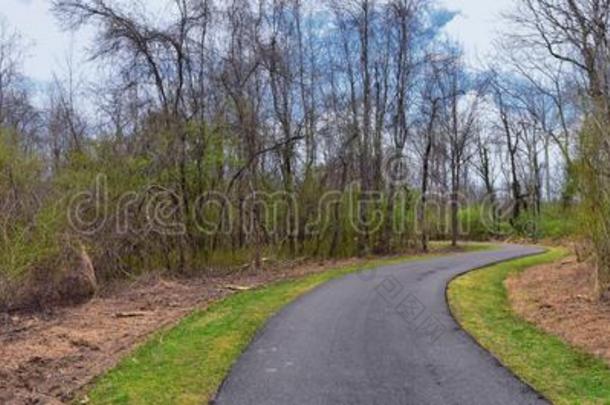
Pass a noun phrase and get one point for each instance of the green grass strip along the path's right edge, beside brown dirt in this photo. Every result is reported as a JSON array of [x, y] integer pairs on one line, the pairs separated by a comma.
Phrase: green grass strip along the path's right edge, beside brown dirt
[[563, 374]]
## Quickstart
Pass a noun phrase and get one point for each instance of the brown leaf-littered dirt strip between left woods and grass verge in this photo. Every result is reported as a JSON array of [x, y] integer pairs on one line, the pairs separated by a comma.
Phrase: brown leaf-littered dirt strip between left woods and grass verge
[[46, 358]]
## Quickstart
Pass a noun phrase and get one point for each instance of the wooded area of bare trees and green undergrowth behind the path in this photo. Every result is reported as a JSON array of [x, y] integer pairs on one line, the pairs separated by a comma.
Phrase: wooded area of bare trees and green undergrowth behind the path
[[225, 133]]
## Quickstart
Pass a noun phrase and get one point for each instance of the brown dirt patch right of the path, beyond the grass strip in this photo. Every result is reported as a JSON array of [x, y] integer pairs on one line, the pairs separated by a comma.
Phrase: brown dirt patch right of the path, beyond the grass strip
[[560, 299]]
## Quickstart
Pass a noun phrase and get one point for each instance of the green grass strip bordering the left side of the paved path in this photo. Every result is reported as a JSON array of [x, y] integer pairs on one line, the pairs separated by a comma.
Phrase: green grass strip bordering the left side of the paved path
[[186, 364]]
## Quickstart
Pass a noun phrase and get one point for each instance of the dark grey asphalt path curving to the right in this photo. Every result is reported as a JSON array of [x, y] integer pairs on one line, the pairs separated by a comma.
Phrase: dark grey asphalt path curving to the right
[[379, 337]]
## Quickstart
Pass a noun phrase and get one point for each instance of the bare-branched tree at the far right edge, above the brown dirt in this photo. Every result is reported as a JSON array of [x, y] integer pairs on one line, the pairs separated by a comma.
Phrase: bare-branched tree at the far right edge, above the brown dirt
[[576, 33]]
